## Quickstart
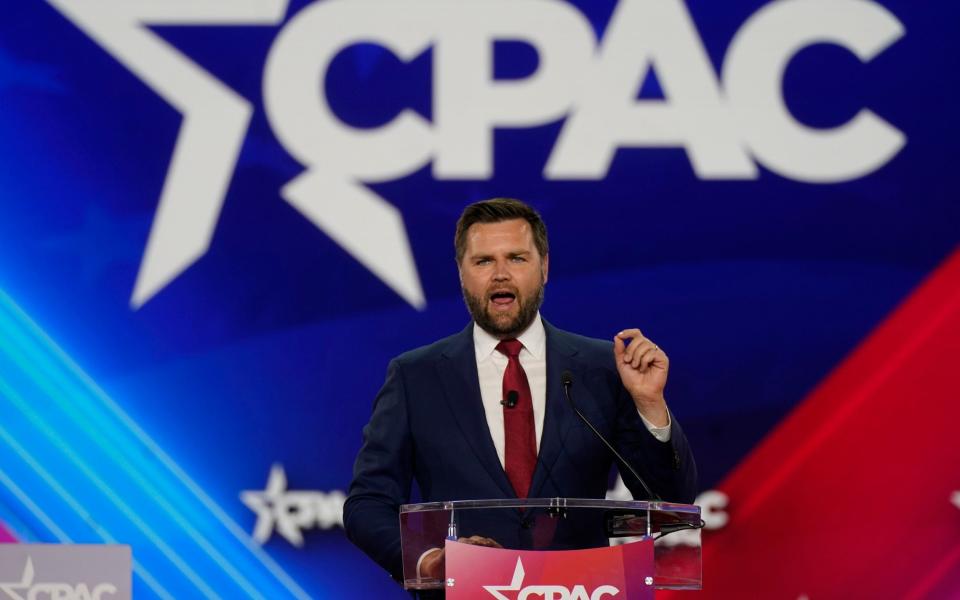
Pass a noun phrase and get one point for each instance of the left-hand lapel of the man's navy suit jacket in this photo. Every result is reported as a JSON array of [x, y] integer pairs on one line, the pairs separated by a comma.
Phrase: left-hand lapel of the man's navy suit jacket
[[461, 385]]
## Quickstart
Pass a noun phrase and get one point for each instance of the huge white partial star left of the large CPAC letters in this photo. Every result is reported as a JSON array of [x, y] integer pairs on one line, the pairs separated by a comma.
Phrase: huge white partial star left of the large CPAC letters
[[215, 122]]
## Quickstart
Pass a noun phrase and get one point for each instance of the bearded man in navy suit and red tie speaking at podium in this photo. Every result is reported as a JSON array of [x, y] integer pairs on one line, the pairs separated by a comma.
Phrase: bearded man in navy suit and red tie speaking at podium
[[482, 414]]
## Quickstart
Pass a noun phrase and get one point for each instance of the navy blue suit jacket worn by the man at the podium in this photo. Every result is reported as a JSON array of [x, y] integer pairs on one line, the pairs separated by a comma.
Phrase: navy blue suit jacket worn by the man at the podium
[[428, 425]]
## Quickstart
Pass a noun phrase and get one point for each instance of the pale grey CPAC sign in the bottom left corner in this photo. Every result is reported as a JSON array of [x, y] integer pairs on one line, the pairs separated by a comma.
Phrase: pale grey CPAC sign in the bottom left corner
[[65, 572]]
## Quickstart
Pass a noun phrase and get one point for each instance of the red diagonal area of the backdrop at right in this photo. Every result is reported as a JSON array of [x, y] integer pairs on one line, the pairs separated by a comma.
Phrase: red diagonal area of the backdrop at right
[[850, 496]]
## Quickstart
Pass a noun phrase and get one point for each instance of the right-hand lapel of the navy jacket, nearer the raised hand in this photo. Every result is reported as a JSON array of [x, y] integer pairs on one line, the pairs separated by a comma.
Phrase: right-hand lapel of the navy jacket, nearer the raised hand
[[556, 421]]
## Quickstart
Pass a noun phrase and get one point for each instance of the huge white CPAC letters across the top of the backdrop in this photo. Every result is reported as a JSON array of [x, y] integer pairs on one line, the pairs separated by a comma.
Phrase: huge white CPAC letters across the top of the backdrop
[[723, 128]]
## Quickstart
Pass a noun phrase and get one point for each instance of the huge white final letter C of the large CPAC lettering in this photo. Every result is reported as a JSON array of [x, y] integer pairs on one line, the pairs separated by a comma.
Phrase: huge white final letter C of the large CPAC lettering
[[753, 77]]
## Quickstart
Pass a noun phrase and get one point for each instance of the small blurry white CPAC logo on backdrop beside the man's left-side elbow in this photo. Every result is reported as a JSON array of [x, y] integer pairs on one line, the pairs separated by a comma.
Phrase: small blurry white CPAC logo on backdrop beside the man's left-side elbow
[[291, 512]]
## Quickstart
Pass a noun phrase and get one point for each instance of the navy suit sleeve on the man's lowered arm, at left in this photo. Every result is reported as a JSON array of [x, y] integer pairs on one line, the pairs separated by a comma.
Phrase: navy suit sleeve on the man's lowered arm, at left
[[382, 477]]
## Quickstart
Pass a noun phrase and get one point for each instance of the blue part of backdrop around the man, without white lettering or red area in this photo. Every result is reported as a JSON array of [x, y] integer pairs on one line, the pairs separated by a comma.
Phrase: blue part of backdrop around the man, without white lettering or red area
[[269, 347]]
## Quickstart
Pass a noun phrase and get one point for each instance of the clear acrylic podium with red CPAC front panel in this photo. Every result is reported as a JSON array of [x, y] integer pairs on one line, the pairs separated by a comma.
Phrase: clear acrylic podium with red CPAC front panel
[[554, 547]]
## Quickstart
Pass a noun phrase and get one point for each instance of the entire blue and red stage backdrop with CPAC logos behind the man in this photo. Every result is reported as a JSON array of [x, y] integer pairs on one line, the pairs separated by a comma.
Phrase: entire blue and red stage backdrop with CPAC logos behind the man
[[221, 219]]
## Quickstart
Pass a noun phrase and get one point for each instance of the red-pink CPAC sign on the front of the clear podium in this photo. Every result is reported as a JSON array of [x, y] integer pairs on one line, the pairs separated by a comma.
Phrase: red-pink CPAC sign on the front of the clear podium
[[480, 573]]
